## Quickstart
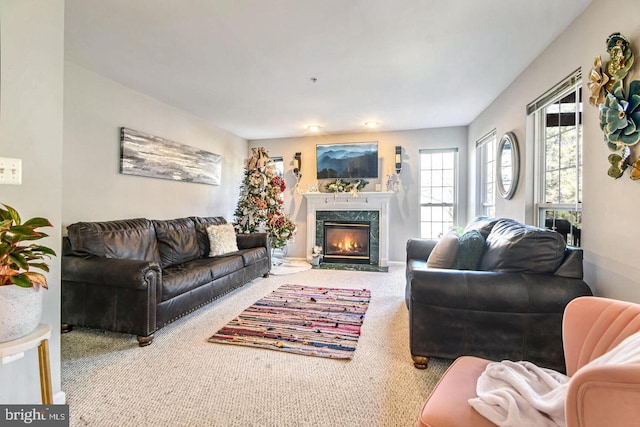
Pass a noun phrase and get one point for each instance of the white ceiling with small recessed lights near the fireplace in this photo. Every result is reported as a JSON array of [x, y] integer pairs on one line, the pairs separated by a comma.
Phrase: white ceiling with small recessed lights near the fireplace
[[246, 65]]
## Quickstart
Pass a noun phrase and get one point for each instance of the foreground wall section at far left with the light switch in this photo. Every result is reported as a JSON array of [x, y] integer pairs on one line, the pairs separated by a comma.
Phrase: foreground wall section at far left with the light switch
[[31, 109]]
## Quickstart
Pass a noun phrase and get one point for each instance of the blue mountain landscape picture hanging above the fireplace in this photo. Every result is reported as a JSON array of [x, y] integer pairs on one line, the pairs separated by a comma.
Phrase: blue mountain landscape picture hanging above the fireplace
[[347, 160]]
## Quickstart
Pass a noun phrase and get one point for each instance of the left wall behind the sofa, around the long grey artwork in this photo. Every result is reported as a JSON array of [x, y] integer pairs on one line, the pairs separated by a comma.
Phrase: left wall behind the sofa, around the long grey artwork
[[95, 109]]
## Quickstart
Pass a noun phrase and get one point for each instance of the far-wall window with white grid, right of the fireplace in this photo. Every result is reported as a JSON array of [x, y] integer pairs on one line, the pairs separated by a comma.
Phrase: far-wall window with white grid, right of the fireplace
[[438, 195]]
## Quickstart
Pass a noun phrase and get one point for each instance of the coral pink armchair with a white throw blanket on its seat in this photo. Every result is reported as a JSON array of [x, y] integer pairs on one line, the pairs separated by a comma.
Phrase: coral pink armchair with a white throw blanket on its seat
[[597, 395]]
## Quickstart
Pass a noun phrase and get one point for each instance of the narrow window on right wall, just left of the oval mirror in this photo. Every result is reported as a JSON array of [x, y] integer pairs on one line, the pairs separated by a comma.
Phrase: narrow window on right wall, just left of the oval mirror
[[486, 155]]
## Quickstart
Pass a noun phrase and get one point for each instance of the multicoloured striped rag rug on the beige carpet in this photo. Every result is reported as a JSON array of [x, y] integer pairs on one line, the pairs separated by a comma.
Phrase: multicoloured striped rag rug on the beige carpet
[[323, 322]]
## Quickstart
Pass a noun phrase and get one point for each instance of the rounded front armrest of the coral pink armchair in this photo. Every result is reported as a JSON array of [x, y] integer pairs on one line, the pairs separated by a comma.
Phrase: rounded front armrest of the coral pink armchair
[[604, 396]]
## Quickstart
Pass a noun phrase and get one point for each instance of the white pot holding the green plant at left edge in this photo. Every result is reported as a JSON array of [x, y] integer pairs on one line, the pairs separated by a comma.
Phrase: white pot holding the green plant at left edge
[[20, 311]]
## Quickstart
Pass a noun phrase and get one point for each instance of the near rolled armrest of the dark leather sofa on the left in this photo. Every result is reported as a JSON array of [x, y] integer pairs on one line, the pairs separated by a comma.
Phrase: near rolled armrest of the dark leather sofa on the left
[[123, 273]]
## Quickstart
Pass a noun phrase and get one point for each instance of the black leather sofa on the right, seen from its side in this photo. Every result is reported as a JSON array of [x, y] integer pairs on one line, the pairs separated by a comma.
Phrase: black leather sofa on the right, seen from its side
[[509, 307]]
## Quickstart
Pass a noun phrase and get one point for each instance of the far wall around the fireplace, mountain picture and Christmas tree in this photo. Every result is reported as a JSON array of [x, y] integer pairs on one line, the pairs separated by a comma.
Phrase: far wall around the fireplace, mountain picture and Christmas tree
[[404, 208]]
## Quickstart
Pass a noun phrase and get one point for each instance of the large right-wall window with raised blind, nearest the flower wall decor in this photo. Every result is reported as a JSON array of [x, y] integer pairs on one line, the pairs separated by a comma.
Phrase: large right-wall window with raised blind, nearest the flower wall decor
[[557, 120]]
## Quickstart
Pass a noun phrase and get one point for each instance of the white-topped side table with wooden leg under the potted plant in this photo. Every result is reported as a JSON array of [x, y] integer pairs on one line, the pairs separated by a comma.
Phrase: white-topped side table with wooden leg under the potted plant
[[39, 337]]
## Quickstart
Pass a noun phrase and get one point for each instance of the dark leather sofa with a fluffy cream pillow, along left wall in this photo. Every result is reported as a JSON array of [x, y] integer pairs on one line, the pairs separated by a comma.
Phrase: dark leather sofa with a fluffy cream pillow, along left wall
[[137, 275]]
